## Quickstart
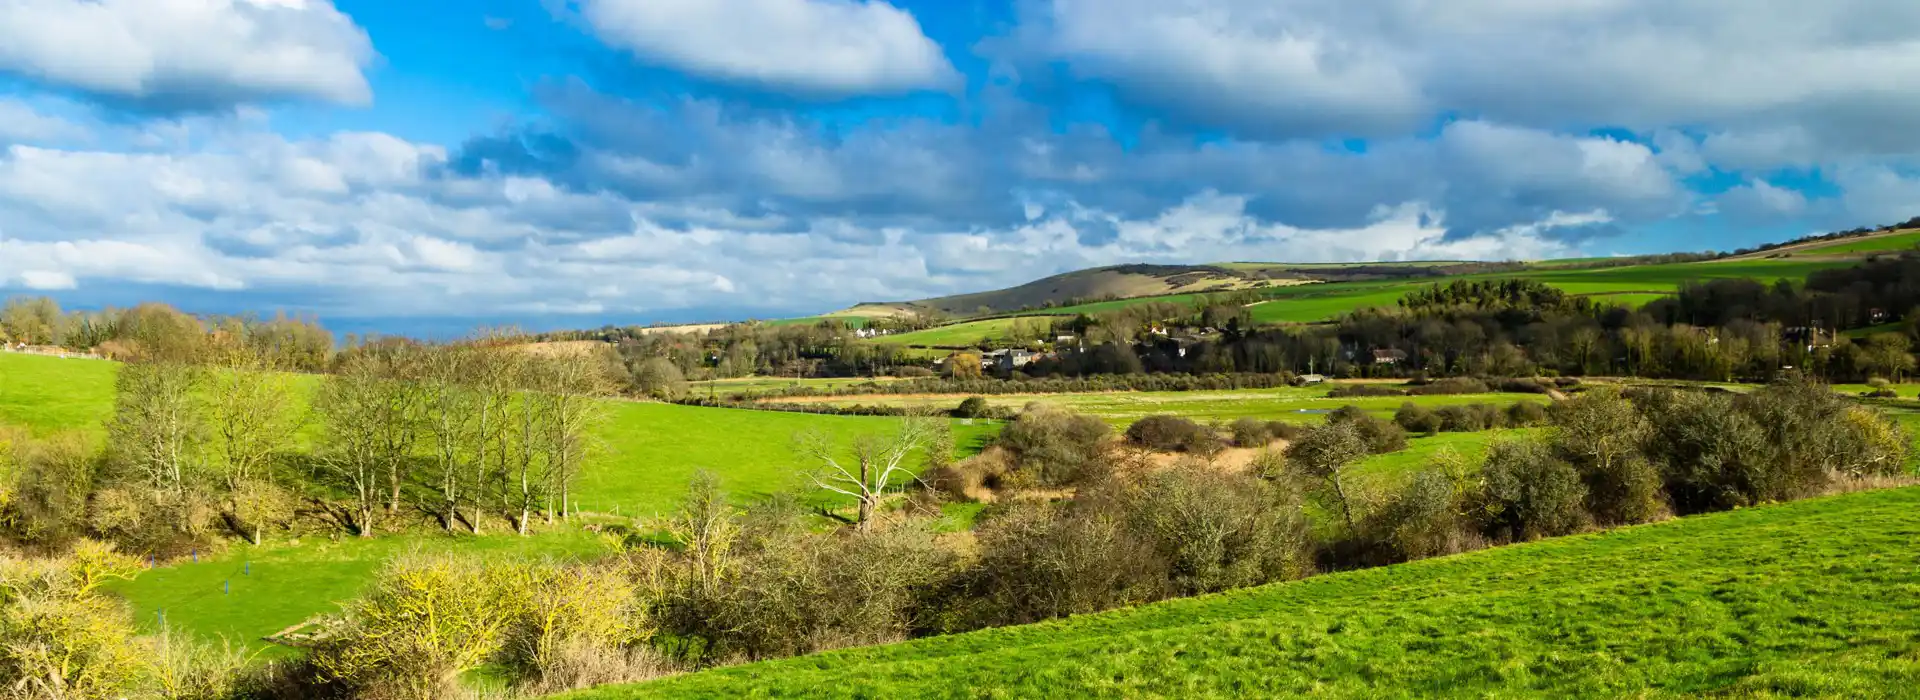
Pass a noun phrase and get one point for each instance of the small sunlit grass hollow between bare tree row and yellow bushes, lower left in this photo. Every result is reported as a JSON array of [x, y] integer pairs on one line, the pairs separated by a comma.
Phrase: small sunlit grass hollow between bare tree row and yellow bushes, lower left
[[254, 592]]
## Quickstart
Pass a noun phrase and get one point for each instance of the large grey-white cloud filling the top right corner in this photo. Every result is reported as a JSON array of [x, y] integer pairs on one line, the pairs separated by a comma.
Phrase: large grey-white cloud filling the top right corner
[[1318, 68]]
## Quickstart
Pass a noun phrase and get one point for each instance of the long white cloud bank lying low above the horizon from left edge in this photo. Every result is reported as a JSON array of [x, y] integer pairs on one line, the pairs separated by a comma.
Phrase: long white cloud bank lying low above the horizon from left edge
[[370, 225]]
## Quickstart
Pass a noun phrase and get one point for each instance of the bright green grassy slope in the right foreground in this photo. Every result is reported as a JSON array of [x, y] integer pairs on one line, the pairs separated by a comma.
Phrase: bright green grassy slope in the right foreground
[[1806, 599]]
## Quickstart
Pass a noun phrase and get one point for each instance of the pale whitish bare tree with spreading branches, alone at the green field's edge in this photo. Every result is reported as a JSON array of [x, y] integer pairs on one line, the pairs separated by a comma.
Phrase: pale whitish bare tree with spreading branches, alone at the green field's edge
[[876, 465]]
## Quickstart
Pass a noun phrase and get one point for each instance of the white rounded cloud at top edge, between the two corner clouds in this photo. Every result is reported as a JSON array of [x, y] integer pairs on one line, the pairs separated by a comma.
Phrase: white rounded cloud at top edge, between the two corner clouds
[[807, 47]]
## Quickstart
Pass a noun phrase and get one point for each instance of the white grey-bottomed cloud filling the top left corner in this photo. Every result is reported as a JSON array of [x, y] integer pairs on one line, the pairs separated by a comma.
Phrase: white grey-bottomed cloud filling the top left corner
[[187, 55]]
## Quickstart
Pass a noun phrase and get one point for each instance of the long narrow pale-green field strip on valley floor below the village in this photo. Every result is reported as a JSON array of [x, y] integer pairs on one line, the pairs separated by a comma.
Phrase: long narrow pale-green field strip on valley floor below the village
[[1126, 408]]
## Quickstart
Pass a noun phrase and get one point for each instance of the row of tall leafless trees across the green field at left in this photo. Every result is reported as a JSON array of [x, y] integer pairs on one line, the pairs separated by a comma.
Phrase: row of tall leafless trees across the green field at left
[[464, 434]]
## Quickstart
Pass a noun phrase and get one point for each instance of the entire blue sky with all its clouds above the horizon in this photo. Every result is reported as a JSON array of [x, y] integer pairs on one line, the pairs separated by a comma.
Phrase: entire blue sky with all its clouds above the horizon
[[560, 164]]
